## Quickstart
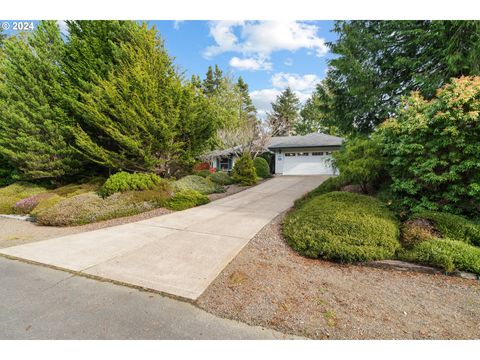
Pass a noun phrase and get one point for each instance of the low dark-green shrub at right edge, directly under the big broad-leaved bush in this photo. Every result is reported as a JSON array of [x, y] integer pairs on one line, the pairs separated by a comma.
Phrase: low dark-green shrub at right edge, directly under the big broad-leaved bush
[[453, 226]]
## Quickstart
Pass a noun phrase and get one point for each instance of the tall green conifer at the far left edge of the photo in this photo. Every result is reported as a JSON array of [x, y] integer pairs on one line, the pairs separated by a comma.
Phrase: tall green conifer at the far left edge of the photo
[[35, 136]]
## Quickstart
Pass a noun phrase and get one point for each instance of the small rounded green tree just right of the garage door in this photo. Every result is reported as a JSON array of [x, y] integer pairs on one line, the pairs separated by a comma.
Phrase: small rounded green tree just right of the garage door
[[360, 162]]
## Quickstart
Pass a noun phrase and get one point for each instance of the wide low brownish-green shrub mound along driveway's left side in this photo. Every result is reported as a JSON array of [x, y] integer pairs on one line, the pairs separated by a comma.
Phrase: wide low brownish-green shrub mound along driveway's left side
[[88, 208]]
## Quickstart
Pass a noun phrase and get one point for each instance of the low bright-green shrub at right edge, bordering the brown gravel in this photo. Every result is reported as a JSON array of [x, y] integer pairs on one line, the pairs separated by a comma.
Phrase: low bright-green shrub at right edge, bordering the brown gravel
[[447, 254]]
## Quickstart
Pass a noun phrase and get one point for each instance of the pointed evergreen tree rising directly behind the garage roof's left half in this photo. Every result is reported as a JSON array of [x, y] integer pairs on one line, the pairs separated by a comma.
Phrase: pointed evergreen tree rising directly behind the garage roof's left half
[[284, 113]]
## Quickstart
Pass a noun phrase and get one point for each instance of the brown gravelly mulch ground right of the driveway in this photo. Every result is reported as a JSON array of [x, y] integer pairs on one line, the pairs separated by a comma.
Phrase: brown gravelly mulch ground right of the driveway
[[269, 284]]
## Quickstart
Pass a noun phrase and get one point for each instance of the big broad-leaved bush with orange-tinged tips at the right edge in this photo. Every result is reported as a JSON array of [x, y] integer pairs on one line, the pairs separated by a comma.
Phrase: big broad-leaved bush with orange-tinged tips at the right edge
[[432, 148]]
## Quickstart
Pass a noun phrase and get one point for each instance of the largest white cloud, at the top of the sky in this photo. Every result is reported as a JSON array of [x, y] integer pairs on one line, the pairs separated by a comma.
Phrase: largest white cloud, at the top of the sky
[[261, 38]]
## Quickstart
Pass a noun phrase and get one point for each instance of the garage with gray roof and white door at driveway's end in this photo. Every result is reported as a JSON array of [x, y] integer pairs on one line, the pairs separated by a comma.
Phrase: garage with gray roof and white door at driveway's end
[[305, 155]]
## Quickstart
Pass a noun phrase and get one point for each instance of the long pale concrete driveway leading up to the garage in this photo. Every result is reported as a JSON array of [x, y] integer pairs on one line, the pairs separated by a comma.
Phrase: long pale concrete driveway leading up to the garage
[[178, 254]]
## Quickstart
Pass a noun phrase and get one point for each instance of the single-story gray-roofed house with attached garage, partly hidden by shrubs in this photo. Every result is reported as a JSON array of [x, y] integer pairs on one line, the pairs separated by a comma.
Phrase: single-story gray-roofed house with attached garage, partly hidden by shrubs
[[293, 155]]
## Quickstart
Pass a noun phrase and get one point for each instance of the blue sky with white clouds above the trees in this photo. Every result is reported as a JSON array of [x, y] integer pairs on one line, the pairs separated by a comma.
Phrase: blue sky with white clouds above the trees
[[269, 55]]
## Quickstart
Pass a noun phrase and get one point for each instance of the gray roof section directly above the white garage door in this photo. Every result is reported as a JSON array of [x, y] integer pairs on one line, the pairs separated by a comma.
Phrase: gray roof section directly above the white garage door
[[309, 140]]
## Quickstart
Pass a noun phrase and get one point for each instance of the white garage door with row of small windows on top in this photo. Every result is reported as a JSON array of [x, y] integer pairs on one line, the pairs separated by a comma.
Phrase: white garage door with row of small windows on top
[[307, 163]]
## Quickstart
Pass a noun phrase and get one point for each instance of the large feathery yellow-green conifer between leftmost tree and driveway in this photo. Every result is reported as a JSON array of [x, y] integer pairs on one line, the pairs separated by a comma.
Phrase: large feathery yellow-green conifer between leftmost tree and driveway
[[141, 117]]
